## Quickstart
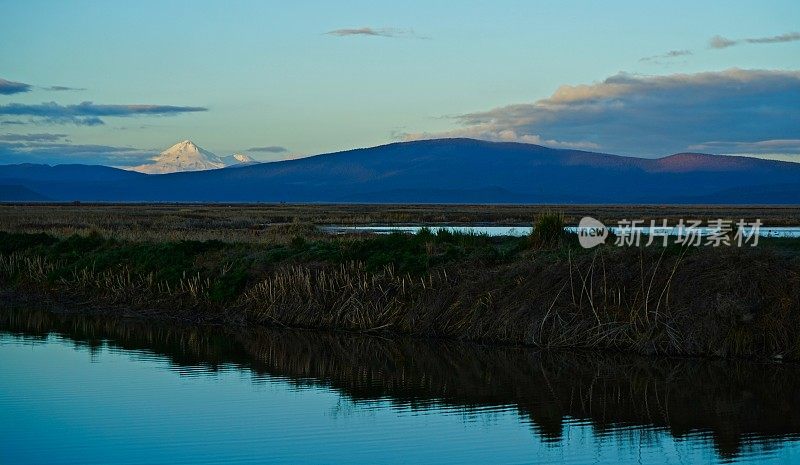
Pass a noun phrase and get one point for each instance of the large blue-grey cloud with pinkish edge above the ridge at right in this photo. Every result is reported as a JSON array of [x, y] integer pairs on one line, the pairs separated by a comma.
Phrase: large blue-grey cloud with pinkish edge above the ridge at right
[[649, 115]]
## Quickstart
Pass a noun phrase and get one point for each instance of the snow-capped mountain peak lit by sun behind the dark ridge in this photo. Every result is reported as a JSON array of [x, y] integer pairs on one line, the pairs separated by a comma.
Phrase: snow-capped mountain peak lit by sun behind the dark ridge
[[187, 156]]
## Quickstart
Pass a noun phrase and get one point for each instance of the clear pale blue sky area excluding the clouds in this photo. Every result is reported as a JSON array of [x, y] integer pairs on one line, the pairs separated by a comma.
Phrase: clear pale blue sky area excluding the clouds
[[270, 75]]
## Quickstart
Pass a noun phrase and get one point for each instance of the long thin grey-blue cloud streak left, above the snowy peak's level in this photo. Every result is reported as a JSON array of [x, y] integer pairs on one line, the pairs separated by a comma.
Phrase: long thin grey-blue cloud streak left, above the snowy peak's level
[[88, 113]]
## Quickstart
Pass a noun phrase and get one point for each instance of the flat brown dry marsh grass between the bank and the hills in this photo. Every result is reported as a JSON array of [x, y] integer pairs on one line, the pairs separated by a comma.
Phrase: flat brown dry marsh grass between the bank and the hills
[[277, 222]]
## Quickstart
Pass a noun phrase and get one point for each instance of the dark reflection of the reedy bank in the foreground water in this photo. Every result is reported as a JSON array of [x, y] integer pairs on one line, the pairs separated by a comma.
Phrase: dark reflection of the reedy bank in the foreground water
[[737, 407]]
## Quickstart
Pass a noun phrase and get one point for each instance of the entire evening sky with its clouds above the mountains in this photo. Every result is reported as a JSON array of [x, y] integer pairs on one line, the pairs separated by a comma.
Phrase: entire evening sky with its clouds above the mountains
[[116, 82]]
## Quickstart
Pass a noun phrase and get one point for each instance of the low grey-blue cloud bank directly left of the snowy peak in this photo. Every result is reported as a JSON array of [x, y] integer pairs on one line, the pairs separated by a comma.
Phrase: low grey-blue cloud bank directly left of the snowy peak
[[59, 153]]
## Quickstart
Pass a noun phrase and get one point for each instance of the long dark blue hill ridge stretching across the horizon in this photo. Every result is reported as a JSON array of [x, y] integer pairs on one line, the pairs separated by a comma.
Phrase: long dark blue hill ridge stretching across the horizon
[[441, 171]]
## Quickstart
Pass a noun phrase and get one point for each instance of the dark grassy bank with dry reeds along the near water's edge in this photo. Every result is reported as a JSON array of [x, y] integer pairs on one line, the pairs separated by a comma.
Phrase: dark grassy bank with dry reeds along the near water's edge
[[721, 302]]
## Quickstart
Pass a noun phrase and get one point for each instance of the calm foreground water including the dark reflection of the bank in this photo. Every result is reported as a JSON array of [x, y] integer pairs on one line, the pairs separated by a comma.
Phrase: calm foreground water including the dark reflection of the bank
[[88, 390]]
